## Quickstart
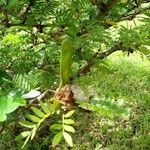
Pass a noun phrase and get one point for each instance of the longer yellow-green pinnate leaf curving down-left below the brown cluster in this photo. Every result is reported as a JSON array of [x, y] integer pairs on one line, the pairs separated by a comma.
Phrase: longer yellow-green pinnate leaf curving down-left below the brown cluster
[[33, 121]]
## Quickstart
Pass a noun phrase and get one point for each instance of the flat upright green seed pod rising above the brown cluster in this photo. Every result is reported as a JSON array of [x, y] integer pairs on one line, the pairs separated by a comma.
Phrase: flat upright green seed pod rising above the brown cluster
[[66, 55]]
